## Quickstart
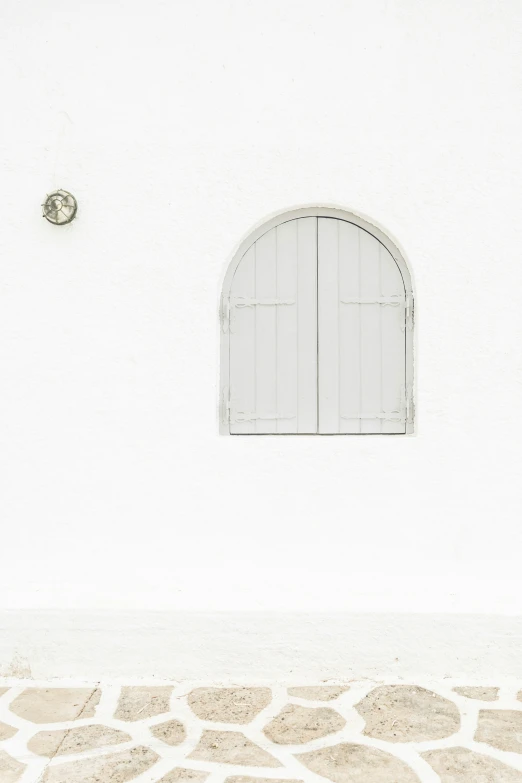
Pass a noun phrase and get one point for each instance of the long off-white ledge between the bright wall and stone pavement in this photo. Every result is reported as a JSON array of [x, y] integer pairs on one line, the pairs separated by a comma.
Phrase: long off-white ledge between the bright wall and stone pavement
[[257, 645]]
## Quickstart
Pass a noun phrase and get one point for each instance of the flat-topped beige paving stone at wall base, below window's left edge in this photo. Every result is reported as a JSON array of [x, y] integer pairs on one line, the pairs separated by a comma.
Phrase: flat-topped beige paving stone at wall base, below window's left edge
[[229, 705]]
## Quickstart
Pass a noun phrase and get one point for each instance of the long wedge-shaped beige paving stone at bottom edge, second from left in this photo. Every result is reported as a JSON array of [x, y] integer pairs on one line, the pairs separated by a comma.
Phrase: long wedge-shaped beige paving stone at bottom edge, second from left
[[116, 768]]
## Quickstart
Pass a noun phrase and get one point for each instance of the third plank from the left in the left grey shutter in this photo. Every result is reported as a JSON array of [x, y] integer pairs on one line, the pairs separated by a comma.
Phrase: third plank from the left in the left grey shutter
[[286, 327]]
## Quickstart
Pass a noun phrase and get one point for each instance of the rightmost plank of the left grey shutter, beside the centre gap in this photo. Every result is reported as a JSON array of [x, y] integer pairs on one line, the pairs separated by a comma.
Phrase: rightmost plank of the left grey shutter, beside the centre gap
[[307, 325]]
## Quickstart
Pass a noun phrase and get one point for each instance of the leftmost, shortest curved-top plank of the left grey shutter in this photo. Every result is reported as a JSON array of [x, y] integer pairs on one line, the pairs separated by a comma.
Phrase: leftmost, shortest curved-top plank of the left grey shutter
[[242, 346]]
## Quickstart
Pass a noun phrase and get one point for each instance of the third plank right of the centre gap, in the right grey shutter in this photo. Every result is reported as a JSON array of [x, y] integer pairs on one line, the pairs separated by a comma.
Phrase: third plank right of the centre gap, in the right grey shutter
[[371, 350]]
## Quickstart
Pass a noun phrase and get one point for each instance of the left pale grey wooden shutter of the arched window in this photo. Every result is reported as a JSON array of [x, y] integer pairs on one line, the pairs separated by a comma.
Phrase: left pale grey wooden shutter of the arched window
[[272, 319]]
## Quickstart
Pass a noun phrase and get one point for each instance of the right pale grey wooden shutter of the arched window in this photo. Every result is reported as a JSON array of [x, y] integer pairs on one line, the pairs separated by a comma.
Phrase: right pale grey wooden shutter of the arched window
[[362, 333]]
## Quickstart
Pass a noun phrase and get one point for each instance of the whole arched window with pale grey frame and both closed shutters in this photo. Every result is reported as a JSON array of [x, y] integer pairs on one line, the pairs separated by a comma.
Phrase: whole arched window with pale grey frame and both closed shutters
[[317, 330]]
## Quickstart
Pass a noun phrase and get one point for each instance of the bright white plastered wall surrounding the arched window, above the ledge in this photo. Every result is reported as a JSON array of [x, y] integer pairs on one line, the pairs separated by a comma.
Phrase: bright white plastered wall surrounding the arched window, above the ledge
[[179, 127]]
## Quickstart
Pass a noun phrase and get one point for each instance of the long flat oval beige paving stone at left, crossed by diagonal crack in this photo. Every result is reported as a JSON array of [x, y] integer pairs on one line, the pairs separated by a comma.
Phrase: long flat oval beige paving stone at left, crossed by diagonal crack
[[66, 741]]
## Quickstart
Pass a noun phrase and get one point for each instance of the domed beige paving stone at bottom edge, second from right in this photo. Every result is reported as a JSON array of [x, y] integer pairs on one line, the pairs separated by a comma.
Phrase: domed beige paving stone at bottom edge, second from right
[[347, 763]]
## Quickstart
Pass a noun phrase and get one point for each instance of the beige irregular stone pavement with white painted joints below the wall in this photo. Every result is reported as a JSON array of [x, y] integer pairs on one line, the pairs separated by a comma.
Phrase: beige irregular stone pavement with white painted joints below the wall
[[351, 732]]
